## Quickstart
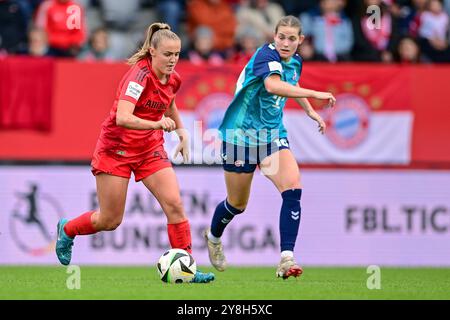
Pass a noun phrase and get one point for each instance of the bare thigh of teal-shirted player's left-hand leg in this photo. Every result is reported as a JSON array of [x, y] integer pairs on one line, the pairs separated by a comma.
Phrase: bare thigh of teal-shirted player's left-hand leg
[[238, 188]]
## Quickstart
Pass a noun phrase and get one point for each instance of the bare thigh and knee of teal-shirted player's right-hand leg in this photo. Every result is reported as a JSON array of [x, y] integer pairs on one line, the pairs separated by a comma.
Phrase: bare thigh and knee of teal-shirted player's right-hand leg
[[282, 169]]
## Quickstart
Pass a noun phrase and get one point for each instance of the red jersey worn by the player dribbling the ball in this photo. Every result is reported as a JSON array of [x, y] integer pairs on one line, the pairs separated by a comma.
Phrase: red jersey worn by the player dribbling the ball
[[140, 86]]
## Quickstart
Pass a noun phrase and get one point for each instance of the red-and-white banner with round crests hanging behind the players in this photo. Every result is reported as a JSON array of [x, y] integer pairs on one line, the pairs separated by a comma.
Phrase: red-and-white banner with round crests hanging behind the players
[[371, 123]]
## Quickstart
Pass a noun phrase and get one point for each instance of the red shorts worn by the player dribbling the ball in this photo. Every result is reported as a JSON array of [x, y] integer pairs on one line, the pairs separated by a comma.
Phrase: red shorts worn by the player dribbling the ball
[[142, 167]]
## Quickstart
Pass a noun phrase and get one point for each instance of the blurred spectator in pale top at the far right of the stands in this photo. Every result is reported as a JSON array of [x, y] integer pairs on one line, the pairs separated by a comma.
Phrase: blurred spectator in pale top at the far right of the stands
[[433, 30]]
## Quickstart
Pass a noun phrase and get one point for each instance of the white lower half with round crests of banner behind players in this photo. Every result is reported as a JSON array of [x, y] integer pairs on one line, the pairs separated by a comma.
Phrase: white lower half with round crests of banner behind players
[[355, 134]]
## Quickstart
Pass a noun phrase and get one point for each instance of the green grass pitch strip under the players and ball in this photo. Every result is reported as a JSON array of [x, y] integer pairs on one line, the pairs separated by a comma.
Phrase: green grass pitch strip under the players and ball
[[237, 283]]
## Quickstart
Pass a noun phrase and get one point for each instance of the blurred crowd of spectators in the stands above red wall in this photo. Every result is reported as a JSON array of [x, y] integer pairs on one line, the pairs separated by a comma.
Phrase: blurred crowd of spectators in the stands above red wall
[[218, 31]]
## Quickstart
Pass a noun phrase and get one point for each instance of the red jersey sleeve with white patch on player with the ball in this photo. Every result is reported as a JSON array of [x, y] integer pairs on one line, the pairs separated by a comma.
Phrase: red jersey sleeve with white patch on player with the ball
[[134, 84]]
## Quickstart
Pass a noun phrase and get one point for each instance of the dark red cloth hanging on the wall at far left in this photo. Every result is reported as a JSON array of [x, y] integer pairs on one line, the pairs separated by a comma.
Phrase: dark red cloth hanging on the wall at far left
[[25, 93]]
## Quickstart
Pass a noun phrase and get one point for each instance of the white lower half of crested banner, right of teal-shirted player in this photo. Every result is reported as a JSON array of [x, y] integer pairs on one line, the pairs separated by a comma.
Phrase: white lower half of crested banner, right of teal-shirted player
[[387, 140]]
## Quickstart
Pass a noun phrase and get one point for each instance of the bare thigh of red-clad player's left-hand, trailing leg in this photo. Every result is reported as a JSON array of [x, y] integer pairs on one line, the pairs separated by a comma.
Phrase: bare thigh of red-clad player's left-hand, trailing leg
[[112, 194]]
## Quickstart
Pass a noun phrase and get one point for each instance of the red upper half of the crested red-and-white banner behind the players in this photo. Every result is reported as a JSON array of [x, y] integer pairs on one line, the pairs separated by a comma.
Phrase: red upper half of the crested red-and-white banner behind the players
[[383, 87]]
